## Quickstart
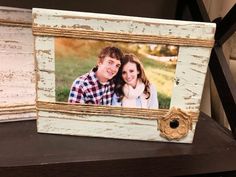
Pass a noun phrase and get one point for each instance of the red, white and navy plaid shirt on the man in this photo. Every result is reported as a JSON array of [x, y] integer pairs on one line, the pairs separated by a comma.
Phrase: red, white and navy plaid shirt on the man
[[87, 89]]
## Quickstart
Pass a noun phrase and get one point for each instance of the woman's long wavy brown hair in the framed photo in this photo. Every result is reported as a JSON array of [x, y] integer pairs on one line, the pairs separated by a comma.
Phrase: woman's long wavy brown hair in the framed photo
[[120, 82]]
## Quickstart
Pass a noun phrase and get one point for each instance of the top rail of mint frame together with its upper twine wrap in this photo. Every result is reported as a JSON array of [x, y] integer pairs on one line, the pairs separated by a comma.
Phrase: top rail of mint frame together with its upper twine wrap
[[121, 28]]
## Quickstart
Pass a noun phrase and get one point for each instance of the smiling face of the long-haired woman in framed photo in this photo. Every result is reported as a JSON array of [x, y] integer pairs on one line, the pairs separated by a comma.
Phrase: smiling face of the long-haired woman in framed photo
[[130, 74]]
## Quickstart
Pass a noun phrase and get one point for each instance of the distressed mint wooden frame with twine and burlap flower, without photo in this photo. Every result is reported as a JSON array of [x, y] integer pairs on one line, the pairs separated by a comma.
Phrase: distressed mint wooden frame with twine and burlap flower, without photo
[[176, 124]]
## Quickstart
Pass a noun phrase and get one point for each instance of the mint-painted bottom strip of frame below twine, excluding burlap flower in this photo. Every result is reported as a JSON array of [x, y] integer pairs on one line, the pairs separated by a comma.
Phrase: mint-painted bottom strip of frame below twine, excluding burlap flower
[[102, 126]]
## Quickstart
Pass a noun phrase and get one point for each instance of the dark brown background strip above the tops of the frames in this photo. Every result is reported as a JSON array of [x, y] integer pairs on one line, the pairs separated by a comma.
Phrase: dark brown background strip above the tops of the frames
[[143, 8]]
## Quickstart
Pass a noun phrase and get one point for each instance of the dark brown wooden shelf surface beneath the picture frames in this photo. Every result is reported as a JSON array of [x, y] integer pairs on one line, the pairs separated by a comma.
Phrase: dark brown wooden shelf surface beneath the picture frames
[[24, 152]]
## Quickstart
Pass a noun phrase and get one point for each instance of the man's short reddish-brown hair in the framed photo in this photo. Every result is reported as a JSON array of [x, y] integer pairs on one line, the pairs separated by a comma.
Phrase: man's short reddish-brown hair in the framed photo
[[112, 52]]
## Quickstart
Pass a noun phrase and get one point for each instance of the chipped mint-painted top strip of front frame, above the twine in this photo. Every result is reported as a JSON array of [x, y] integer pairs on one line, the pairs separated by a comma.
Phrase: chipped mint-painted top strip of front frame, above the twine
[[119, 24]]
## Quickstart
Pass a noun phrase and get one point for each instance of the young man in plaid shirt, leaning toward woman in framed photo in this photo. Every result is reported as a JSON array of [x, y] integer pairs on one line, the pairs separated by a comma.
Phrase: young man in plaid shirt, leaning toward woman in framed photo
[[97, 86]]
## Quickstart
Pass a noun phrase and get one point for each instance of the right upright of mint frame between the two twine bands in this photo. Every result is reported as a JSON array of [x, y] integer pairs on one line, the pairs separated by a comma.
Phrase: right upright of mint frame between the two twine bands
[[190, 77]]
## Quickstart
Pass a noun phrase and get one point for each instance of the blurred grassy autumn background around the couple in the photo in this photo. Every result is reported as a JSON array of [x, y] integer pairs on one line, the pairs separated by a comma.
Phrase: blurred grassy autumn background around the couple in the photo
[[75, 57]]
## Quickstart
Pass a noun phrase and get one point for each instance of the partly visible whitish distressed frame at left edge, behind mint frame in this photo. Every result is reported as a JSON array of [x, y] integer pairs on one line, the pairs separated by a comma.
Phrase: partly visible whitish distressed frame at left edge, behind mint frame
[[17, 69]]
